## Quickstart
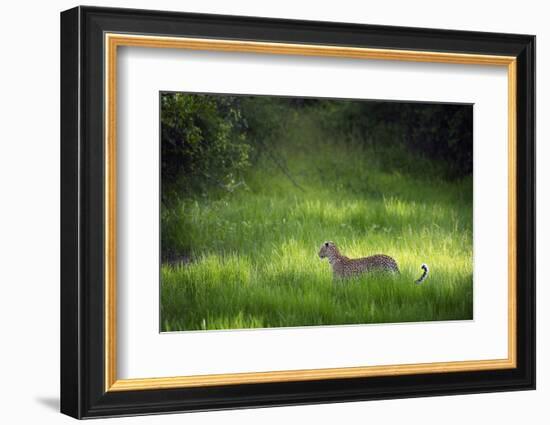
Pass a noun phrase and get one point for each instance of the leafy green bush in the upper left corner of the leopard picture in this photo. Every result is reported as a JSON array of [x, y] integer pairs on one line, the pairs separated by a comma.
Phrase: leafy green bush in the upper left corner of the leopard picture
[[203, 144]]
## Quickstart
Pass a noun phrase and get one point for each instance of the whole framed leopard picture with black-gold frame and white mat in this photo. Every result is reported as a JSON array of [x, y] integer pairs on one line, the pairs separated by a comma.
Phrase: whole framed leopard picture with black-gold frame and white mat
[[261, 212]]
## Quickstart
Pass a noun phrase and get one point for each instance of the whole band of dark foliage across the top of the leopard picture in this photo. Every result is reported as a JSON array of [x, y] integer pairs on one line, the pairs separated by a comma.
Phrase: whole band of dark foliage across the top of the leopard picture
[[208, 141]]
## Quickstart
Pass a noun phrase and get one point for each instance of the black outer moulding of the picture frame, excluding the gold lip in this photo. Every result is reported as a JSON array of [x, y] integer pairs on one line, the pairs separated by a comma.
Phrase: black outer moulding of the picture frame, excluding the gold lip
[[82, 212]]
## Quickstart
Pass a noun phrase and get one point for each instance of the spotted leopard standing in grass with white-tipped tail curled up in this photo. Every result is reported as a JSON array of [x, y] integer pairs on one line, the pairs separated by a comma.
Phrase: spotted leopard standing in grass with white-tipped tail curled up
[[344, 267]]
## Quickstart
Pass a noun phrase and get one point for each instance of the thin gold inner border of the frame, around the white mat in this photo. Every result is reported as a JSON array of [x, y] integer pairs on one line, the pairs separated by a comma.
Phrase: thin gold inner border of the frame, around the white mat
[[113, 41]]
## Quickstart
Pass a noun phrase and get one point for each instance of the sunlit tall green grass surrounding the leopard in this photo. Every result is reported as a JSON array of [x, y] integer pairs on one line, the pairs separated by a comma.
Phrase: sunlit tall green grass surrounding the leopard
[[248, 259]]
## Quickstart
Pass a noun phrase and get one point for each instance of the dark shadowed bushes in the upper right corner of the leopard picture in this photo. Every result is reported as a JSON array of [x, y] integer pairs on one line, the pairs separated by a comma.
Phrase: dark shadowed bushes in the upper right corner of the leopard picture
[[435, 131]]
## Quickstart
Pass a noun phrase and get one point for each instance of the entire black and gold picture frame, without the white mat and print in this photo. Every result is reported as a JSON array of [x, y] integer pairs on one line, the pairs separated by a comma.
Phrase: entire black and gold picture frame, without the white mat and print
[[90, 38]]
